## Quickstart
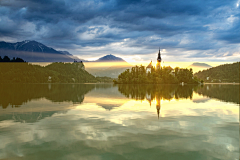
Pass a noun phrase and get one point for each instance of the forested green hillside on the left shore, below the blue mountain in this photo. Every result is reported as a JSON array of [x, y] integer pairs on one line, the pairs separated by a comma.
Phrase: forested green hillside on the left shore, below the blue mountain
[[54, 73]]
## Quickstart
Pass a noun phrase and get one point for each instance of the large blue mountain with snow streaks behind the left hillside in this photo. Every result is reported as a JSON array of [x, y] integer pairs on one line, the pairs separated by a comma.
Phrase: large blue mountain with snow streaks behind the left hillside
[[33, 51]]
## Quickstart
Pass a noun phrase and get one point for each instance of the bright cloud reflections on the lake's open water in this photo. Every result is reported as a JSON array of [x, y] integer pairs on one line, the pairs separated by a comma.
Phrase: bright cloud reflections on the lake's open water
[[131, 131]]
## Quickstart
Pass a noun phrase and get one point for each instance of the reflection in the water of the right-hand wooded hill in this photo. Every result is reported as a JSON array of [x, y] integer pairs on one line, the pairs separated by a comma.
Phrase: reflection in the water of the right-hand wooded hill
[[227, 93]]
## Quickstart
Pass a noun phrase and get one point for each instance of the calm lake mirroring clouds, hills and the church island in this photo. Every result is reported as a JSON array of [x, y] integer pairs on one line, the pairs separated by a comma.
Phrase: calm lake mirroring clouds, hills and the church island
[[125, 122]]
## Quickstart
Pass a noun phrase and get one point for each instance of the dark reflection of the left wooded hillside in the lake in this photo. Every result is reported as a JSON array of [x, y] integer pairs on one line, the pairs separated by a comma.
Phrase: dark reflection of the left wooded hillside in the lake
[[17, 94]]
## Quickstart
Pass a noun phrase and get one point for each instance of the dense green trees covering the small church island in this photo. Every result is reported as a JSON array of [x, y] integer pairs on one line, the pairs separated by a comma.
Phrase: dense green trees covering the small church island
[[165, 75]]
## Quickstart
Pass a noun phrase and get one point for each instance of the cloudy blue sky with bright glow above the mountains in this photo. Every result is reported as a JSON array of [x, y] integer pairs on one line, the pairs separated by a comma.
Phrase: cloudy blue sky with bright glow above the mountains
[[186, 31]]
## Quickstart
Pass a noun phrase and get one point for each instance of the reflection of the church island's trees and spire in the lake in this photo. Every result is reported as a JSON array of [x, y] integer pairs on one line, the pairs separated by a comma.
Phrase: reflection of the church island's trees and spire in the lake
[[158, 92]]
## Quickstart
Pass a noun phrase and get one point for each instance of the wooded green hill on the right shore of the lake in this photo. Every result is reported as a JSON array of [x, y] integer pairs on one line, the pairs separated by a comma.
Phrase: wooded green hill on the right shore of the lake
[[222, 73]]
